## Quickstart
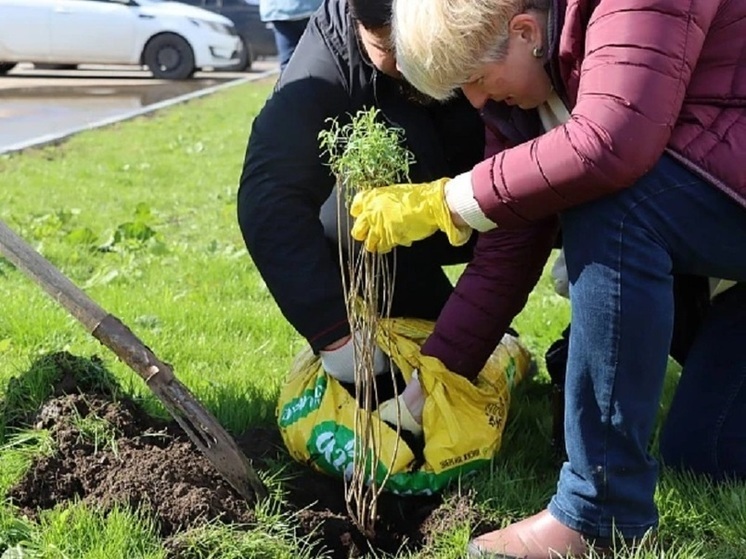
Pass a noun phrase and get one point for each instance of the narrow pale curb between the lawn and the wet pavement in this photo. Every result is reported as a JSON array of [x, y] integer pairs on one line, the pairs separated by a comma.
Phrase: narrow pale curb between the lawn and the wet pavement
[[58, 137]]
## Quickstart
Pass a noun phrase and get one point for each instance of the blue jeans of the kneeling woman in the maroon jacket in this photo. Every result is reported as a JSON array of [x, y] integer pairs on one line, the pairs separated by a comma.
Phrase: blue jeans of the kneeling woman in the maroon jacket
[[621, 252]]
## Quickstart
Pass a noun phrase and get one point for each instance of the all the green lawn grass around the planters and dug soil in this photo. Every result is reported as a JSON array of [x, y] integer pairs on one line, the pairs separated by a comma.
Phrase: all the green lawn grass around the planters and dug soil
[[141, 215]]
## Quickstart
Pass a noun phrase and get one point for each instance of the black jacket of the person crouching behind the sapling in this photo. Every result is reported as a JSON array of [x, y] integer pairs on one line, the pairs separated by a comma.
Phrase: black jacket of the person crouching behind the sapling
[[285, 180]]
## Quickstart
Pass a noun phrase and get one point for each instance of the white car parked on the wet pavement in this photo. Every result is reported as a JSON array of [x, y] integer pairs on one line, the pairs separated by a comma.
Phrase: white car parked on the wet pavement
[[172, 39]]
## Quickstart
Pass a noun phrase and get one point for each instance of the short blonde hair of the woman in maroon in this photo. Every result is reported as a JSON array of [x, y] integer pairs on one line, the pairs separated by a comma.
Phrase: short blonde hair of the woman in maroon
[[441, 44]]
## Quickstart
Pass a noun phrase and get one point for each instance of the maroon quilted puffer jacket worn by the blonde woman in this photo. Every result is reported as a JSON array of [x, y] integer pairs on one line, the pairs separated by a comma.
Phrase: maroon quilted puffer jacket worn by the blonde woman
[[641, 76]]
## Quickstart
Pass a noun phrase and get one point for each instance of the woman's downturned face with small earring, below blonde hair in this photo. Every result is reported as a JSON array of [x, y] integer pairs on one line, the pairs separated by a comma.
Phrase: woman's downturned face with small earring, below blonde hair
[[519, 78]]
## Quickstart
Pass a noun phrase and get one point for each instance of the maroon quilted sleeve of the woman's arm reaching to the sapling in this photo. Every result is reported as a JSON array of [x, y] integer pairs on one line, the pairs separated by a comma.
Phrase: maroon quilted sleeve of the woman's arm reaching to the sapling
[[637, 60]]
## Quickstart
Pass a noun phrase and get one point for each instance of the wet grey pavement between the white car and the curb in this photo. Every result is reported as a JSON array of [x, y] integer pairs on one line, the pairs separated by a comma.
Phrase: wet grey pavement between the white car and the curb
[[36, 104]]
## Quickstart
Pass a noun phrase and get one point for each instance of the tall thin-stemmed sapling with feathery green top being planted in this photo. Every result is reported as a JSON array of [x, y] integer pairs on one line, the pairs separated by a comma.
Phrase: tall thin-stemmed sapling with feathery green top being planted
[[364, 153]]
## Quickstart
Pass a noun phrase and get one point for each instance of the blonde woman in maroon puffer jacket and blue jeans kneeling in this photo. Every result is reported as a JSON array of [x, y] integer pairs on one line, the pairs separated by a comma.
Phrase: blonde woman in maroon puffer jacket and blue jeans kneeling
[[628, 119]]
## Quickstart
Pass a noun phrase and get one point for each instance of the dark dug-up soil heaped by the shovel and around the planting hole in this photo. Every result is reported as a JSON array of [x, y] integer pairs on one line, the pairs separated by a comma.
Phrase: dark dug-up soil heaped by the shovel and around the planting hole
[[109, 451]]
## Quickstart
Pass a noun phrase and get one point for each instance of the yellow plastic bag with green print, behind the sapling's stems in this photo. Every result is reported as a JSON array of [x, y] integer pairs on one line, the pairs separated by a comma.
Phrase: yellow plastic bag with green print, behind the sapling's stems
[[462, 422]]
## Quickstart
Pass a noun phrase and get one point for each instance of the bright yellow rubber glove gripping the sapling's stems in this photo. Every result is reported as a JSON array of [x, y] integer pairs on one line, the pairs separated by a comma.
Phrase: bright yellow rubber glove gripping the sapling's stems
[[400, 214]]
